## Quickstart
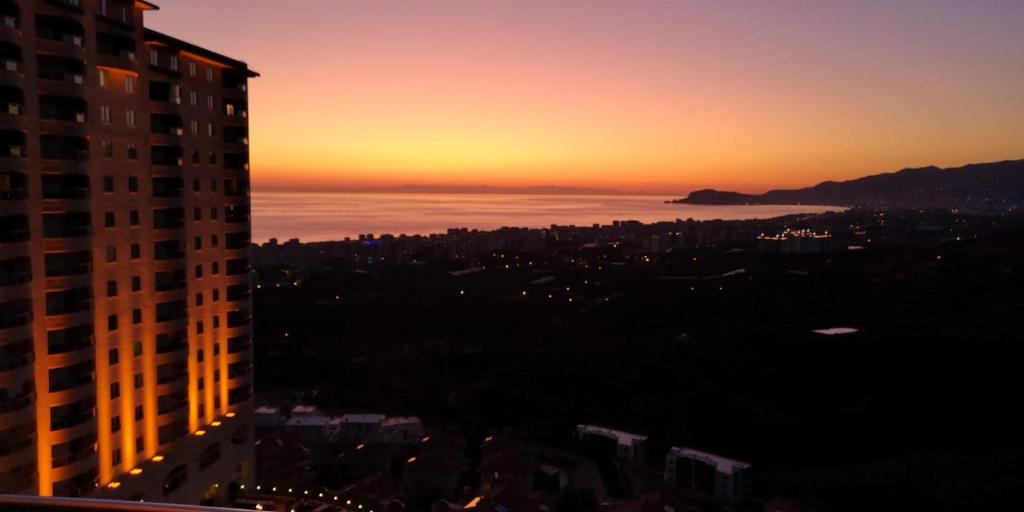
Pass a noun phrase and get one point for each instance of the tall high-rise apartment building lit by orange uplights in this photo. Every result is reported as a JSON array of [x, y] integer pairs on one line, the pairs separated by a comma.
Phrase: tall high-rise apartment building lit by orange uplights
[[125, 338]]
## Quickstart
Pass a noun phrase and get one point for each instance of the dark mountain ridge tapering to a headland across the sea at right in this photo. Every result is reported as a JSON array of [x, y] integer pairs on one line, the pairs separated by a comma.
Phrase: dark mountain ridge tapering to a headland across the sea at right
[[976, 187]]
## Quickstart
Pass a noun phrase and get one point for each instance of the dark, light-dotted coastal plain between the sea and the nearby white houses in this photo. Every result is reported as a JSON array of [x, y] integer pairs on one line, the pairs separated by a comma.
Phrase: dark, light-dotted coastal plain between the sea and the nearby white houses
[[701, 345]]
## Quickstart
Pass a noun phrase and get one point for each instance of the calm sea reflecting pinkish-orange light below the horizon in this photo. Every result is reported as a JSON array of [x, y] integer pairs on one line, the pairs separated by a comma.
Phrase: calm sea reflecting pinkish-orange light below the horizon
[[315, 218]]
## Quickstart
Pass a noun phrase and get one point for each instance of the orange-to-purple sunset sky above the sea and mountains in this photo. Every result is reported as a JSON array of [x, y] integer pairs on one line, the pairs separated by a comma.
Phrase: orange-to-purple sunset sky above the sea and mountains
[[635, 96]]
